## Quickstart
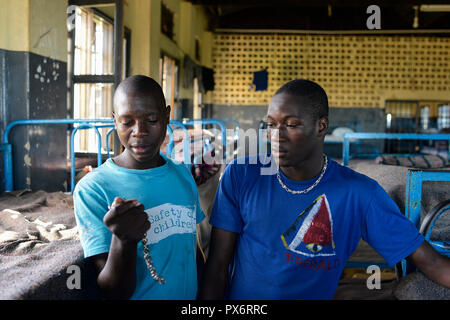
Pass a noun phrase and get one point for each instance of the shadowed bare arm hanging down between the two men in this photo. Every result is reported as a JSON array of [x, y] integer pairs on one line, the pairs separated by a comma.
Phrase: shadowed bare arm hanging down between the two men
[[214, 280]]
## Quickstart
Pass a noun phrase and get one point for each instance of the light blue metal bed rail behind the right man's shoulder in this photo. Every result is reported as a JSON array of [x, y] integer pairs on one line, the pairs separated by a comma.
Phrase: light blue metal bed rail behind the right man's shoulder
[[400, 136]]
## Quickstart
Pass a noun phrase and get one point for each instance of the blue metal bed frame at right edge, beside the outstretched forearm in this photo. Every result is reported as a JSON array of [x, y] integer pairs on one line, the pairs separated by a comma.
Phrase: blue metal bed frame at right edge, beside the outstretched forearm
[[413, 206]]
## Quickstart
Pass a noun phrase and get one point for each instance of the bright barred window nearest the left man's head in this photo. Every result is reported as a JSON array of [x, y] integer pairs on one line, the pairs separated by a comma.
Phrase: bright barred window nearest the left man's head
[[93, 55]]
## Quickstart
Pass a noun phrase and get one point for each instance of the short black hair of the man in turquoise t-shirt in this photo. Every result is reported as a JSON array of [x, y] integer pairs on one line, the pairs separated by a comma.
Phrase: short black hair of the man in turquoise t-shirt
[[144, 85]]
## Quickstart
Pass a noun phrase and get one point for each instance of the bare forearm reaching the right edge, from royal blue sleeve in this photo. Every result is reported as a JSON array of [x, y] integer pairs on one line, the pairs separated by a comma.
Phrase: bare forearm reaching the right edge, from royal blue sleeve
[[431, 263]]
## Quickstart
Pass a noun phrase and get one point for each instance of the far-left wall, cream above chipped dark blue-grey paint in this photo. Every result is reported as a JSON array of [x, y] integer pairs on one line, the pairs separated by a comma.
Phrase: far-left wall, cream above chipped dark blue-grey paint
[[33, 77]]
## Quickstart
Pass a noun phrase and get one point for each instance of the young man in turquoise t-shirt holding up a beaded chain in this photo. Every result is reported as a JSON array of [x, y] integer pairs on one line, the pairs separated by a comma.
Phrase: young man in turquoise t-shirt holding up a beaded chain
[[137, 213]]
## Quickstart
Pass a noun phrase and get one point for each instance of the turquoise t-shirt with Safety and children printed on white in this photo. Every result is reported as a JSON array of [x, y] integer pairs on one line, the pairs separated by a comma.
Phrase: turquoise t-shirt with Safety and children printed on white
[[170, 198]]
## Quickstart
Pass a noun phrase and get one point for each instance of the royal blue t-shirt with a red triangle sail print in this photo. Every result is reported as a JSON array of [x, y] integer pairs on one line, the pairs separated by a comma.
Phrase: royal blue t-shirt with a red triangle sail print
[[295, 246]]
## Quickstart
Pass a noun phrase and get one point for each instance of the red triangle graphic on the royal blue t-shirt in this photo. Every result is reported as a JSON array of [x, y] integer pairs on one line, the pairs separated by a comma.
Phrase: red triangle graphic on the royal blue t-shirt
[[319, 232]]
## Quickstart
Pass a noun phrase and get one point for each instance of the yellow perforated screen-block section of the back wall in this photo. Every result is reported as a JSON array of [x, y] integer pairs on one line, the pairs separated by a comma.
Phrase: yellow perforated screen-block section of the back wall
[[355, 70]]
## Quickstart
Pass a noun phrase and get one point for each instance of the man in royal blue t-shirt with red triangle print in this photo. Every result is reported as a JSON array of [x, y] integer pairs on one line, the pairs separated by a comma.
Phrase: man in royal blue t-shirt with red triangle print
[[288, 234]]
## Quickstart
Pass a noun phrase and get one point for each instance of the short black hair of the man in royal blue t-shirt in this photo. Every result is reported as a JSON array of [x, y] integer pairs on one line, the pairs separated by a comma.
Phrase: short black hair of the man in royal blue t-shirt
[[313, 93]]
